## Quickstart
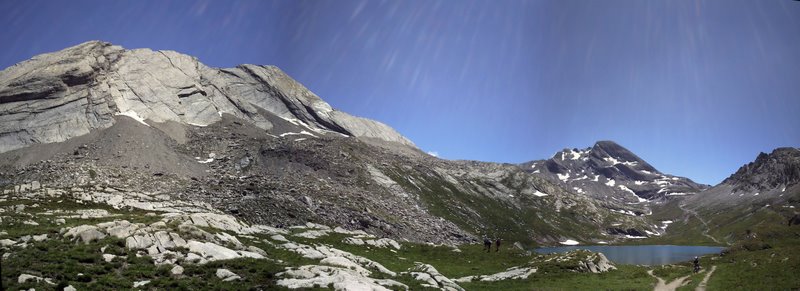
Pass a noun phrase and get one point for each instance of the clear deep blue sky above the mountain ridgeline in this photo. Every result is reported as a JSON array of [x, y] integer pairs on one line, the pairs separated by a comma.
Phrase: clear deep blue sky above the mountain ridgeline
[[697, 88]]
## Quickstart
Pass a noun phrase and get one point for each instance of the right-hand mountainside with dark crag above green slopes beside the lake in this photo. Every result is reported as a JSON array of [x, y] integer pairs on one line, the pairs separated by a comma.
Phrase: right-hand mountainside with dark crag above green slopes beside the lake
[[762, 196]]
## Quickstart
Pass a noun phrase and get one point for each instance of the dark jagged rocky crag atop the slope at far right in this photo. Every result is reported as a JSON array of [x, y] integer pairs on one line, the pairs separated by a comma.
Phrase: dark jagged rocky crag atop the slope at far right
[[779, 169]]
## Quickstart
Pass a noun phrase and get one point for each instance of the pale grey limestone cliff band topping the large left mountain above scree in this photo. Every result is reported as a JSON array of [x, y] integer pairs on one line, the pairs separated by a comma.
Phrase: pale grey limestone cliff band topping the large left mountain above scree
[[57, 96]]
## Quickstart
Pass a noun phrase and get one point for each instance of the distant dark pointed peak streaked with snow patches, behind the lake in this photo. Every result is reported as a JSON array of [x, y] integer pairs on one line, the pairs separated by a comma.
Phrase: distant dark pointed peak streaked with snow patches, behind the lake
[[610, 171]]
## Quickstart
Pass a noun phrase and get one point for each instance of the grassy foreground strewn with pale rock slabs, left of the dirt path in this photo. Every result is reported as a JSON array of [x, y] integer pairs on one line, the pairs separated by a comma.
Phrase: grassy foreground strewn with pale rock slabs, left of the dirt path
[[114, 239]]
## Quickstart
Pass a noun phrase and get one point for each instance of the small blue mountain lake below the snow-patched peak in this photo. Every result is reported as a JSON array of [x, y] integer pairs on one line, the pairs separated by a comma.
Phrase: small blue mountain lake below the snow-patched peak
[[641, 255]]
